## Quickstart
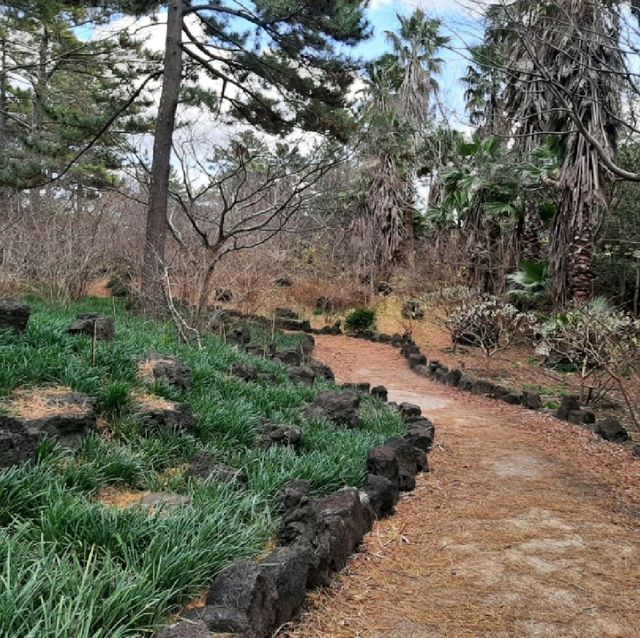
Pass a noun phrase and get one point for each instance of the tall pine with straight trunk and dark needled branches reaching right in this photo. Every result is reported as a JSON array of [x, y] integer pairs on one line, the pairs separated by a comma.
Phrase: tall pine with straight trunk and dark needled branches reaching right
[[278, 65]]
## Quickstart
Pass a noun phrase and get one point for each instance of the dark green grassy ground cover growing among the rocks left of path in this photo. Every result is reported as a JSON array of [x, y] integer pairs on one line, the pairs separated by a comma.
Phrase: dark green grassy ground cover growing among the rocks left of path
[[71, 567]]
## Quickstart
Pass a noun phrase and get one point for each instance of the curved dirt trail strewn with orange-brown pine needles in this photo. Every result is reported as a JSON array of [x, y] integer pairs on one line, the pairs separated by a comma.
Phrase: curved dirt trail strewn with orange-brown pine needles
[[525, 527]]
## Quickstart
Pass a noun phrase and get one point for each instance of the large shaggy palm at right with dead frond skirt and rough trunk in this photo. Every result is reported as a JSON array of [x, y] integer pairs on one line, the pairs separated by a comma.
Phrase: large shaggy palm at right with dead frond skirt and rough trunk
[[564, 78]]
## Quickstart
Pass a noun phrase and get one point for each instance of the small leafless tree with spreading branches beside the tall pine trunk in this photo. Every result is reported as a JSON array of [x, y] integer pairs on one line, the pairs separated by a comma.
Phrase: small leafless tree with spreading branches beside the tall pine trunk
[[242, 197]]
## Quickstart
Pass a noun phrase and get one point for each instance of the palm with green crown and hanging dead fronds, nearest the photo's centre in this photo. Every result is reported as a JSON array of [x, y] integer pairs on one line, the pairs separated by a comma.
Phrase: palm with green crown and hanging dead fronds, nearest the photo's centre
[[397, 115]]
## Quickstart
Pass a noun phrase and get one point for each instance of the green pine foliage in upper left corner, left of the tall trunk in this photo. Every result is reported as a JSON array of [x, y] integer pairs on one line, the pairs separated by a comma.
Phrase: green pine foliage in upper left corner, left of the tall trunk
[[64, 99]]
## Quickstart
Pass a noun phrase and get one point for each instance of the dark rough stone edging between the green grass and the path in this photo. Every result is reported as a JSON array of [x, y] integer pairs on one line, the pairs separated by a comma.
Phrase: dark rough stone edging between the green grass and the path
[[253, 599]]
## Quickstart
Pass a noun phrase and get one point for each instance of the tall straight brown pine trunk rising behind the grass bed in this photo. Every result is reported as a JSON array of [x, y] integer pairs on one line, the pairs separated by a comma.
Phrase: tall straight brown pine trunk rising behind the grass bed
[[156, 233]]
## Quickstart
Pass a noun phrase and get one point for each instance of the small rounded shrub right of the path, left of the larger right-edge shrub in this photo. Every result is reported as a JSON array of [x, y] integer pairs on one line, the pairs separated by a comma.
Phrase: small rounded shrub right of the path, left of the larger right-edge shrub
[[487, 323]]
